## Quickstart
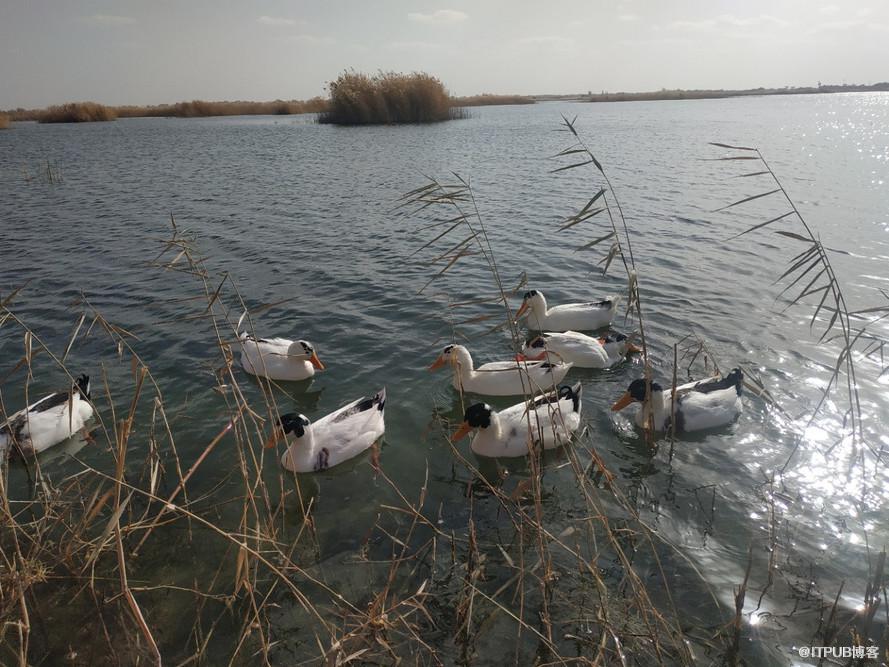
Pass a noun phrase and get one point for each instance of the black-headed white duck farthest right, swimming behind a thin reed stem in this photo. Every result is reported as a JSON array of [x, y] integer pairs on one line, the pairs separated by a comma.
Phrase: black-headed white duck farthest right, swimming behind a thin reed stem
[[705, 404]]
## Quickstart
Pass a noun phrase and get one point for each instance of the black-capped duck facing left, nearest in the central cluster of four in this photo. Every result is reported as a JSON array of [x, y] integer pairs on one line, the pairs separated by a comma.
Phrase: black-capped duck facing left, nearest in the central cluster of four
[[554, 417]]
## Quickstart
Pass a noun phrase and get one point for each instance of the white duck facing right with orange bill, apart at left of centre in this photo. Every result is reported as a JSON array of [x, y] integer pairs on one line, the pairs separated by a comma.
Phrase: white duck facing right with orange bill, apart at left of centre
[[278, 358]]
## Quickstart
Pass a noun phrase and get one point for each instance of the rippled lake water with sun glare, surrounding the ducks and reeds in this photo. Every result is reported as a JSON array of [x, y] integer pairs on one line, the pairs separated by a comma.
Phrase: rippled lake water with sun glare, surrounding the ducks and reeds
[[305, 213]]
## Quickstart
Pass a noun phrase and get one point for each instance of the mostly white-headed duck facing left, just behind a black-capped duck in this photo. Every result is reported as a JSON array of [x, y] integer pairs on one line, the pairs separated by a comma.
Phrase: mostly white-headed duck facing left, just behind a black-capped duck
[[499, 378]]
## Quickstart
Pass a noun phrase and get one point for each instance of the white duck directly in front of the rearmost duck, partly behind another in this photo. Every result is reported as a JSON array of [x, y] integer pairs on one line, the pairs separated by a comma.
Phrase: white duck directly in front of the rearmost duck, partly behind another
[[579, 349]]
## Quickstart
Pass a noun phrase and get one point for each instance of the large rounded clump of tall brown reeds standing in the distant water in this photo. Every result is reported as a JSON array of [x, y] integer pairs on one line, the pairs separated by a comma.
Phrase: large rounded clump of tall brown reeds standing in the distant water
[[386, 98]]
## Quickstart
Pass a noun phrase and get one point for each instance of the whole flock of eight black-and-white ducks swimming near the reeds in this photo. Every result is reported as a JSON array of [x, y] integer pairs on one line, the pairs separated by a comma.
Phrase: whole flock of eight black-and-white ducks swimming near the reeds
[[547, 420]]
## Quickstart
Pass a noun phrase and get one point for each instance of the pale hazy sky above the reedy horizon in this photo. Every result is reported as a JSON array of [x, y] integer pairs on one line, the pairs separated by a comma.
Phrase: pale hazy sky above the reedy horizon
[[141, 52]]
